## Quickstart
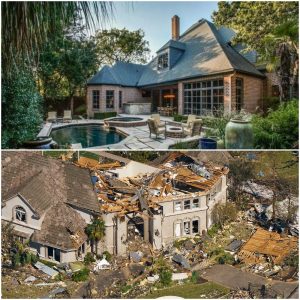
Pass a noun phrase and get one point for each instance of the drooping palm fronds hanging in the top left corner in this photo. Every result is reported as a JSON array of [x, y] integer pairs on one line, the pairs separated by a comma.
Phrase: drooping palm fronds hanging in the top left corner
[[26, 26]]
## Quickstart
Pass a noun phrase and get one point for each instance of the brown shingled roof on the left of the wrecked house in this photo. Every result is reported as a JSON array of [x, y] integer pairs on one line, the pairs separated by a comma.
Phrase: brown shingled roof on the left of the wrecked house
[[51, 188]]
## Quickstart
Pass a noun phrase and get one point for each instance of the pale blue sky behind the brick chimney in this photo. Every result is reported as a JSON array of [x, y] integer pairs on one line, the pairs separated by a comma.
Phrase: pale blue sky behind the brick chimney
[[155, 17]]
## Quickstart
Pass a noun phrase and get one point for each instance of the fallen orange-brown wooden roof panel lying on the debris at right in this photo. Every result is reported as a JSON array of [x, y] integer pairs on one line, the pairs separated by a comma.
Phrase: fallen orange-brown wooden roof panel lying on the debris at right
[[265, 244]]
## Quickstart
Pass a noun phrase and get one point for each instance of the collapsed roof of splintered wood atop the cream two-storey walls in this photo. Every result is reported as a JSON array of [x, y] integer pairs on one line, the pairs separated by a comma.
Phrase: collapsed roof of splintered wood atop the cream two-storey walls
[[177, 177]]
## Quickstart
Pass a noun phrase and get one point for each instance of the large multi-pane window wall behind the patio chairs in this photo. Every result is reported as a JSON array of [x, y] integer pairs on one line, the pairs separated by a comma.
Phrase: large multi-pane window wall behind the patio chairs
[[204, 97]]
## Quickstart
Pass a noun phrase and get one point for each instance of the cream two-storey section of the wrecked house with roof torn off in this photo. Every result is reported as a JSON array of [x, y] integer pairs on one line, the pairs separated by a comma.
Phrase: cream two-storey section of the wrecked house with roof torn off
[[159, 205]]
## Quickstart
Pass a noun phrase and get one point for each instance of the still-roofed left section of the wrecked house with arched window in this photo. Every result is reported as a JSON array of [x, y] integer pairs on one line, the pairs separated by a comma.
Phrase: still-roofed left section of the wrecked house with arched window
[[49, 203]]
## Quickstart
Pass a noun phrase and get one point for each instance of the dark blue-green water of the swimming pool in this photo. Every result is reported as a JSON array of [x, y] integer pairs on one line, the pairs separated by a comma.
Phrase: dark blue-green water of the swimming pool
[[87, 135]]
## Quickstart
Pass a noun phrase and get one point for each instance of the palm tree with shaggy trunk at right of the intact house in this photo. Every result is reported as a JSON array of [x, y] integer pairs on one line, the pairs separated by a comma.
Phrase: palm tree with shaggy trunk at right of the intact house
[[282, 54]]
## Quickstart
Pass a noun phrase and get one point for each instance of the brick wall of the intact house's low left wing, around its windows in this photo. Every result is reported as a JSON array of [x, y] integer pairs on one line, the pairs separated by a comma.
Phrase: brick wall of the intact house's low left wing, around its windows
[[129, 94]]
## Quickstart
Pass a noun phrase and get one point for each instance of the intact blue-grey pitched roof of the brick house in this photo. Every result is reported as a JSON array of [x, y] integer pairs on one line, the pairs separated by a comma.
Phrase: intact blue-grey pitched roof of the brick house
[[202, 50]]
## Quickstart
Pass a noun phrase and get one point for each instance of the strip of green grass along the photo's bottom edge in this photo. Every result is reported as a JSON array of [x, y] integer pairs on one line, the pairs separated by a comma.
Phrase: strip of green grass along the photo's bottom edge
[[206, 290]]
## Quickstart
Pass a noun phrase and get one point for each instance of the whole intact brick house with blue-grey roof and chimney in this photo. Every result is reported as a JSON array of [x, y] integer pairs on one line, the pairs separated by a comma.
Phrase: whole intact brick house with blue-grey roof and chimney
[[200, 68]]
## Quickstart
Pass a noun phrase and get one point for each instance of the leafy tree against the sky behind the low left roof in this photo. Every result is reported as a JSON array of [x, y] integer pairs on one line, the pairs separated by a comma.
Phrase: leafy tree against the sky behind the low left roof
[[122, 45]]
